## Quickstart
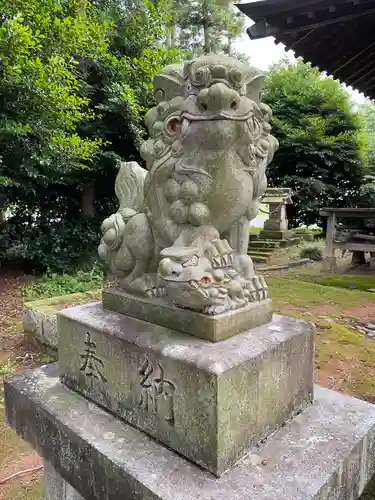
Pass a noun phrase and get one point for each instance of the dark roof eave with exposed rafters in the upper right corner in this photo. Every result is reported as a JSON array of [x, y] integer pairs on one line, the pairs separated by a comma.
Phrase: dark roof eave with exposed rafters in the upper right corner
[[338, 36]]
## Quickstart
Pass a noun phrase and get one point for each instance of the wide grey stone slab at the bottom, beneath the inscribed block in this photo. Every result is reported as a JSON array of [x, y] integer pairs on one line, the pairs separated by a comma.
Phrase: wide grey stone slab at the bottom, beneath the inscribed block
[[325, 453]]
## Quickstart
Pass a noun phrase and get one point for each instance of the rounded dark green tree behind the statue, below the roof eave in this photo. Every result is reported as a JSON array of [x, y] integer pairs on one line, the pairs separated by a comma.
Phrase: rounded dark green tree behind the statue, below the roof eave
[[319, 155]]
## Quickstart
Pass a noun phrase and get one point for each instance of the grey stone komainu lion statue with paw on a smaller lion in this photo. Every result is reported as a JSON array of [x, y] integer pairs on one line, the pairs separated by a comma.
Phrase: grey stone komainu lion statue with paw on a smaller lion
[[181, 230]]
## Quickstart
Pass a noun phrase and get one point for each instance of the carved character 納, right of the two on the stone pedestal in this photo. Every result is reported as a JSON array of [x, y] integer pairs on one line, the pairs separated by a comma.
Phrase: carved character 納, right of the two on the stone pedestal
[[157, 393]]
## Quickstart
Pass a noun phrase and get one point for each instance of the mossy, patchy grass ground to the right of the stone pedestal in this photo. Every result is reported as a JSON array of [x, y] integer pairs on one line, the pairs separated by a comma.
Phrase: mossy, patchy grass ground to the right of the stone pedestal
[[345, 359]]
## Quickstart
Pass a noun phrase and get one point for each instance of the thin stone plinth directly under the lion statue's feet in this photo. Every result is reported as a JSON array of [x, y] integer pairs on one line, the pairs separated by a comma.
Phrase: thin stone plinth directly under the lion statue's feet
[[213, 328]]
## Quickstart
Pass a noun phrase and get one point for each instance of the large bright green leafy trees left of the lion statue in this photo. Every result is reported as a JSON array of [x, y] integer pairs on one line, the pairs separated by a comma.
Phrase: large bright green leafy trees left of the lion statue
[[75, 79]]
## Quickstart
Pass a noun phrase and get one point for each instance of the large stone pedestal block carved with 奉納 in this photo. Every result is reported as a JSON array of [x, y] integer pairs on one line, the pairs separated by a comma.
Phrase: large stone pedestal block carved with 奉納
[[210, 402]]
